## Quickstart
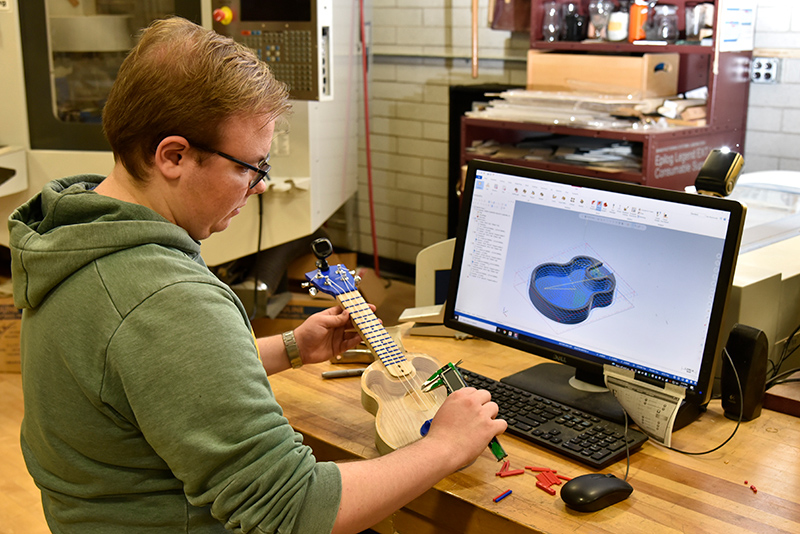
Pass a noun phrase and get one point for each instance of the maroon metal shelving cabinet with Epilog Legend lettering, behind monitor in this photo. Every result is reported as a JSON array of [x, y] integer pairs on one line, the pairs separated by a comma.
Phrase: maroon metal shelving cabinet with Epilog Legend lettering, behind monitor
[[670, 158]]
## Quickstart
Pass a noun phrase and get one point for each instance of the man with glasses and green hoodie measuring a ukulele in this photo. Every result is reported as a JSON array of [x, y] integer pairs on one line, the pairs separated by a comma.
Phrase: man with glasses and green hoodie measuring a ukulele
[[147, 403]]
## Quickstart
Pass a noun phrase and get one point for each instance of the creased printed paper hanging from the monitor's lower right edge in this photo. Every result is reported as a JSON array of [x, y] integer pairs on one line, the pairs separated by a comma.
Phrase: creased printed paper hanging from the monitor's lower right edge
[[652, 408]]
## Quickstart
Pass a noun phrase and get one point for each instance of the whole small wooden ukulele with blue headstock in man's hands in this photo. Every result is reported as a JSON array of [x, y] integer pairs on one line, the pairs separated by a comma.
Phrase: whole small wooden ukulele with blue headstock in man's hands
[[391, 387]]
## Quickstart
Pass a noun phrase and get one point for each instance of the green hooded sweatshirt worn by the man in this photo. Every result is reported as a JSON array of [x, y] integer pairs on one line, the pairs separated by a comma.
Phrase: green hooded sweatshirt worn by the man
[[147, 409]]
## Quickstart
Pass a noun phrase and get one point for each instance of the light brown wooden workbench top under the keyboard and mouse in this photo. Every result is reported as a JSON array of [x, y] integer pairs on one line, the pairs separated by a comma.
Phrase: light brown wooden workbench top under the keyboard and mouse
[[673, 492]]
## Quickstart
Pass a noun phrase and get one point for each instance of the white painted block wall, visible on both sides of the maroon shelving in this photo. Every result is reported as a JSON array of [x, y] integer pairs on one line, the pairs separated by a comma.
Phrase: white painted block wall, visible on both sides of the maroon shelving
[[420, 49]]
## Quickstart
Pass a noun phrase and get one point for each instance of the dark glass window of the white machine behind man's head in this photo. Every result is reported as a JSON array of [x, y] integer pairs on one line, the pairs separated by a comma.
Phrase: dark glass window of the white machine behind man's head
[[89, 40]]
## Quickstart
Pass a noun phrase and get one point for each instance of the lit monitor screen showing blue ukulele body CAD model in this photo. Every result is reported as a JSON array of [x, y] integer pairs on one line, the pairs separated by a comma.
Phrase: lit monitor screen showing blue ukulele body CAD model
[[626, 279]]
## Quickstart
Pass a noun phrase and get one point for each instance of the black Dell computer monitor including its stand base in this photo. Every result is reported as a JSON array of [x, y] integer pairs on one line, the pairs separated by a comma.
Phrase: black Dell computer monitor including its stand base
[[591, 272]]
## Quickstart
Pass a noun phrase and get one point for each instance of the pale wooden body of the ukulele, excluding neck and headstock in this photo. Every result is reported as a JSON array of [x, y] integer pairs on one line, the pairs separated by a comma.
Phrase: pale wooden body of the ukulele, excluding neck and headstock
[[399, 406]]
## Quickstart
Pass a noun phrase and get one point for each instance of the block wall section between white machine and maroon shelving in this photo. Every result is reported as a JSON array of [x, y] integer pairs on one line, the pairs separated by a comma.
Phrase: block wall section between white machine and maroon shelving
[[420, 48]]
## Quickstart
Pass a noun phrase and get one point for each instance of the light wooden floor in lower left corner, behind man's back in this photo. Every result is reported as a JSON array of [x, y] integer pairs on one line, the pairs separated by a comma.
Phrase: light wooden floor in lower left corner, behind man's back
[[20, 505]]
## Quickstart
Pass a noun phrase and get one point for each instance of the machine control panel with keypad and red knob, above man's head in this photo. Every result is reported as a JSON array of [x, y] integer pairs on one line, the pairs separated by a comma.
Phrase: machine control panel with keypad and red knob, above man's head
[[293, 38]]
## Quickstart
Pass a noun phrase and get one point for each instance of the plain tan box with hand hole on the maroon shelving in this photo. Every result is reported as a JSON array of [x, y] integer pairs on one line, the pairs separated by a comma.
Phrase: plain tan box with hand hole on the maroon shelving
[[646, 76]]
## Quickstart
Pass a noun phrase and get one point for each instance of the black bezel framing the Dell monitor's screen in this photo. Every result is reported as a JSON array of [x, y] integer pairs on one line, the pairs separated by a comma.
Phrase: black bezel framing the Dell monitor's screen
[[588, 365]]
